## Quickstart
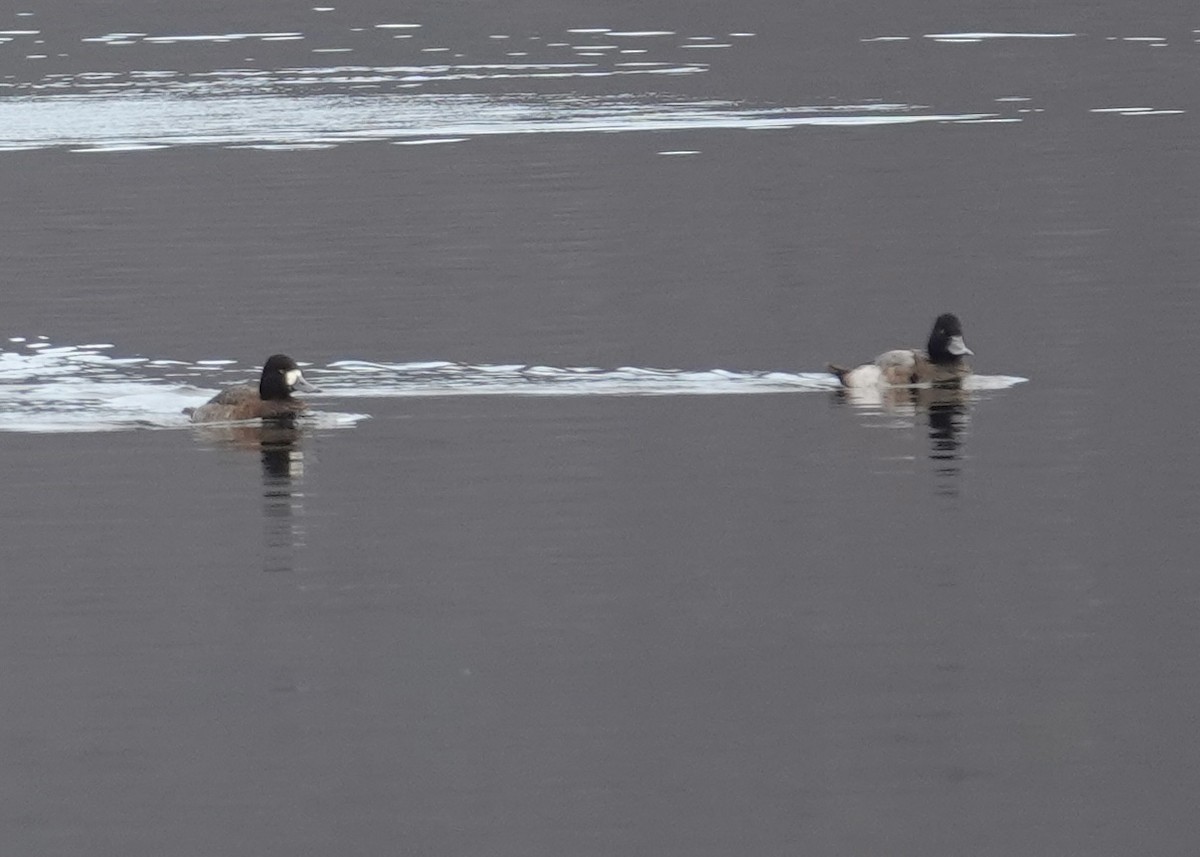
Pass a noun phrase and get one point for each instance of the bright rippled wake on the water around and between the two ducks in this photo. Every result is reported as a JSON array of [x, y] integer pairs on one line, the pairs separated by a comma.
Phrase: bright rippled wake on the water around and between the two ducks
[[49, 388]]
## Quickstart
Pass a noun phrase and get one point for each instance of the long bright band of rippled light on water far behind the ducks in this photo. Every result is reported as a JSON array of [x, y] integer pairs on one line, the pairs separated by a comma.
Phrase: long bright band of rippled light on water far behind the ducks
[[135, 122]]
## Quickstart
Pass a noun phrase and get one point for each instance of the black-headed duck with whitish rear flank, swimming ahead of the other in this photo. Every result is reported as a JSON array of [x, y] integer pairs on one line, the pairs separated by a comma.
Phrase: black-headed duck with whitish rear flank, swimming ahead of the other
[[940, 364]]
